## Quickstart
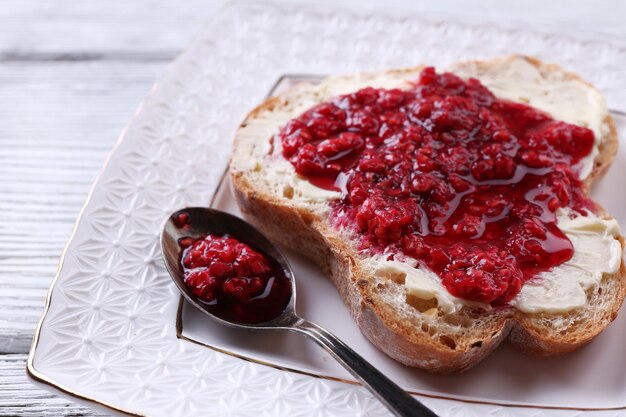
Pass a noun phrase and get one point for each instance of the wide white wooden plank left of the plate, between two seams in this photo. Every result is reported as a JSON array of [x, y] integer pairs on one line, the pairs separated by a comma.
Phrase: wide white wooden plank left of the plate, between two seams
[[60, 120]]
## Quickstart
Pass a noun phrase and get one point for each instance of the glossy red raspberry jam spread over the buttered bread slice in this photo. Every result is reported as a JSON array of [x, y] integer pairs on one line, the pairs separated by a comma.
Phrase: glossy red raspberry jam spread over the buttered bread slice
[[446, 173]]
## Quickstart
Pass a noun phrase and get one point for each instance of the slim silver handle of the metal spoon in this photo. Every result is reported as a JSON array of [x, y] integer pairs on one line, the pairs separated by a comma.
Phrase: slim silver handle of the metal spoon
[[391, 395]]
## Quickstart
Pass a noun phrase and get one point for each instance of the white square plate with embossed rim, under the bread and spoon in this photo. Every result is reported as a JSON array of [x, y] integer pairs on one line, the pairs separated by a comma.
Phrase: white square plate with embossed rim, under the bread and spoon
[[109, 333]]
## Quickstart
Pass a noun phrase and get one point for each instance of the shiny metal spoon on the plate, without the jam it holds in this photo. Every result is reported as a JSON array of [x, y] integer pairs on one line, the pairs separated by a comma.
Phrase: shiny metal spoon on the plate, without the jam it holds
[[203, 221]]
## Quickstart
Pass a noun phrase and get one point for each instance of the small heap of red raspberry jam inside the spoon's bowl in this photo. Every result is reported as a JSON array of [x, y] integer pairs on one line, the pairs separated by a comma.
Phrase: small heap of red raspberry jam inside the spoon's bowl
[[237, 283]]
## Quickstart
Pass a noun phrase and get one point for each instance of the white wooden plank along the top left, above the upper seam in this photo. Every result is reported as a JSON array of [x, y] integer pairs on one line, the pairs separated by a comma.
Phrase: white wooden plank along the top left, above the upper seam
[[32, 30]]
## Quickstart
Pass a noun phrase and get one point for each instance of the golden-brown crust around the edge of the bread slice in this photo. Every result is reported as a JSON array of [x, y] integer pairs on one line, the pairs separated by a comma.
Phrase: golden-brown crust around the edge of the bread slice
[[307, 233]]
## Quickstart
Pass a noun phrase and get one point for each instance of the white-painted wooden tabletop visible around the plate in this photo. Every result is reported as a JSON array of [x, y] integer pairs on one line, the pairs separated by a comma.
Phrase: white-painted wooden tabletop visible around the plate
[[71, 74]]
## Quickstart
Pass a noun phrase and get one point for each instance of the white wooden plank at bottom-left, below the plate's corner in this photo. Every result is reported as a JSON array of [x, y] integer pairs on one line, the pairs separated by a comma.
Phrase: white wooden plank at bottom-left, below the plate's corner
[[18, 397]]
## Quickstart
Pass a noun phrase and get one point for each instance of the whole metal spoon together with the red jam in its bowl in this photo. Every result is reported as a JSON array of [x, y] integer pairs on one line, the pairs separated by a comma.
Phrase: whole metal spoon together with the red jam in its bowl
[[233, 273]]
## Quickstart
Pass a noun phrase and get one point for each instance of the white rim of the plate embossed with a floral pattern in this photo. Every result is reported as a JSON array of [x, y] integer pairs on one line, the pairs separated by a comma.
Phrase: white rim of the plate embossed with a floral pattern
[[109, 331]]
